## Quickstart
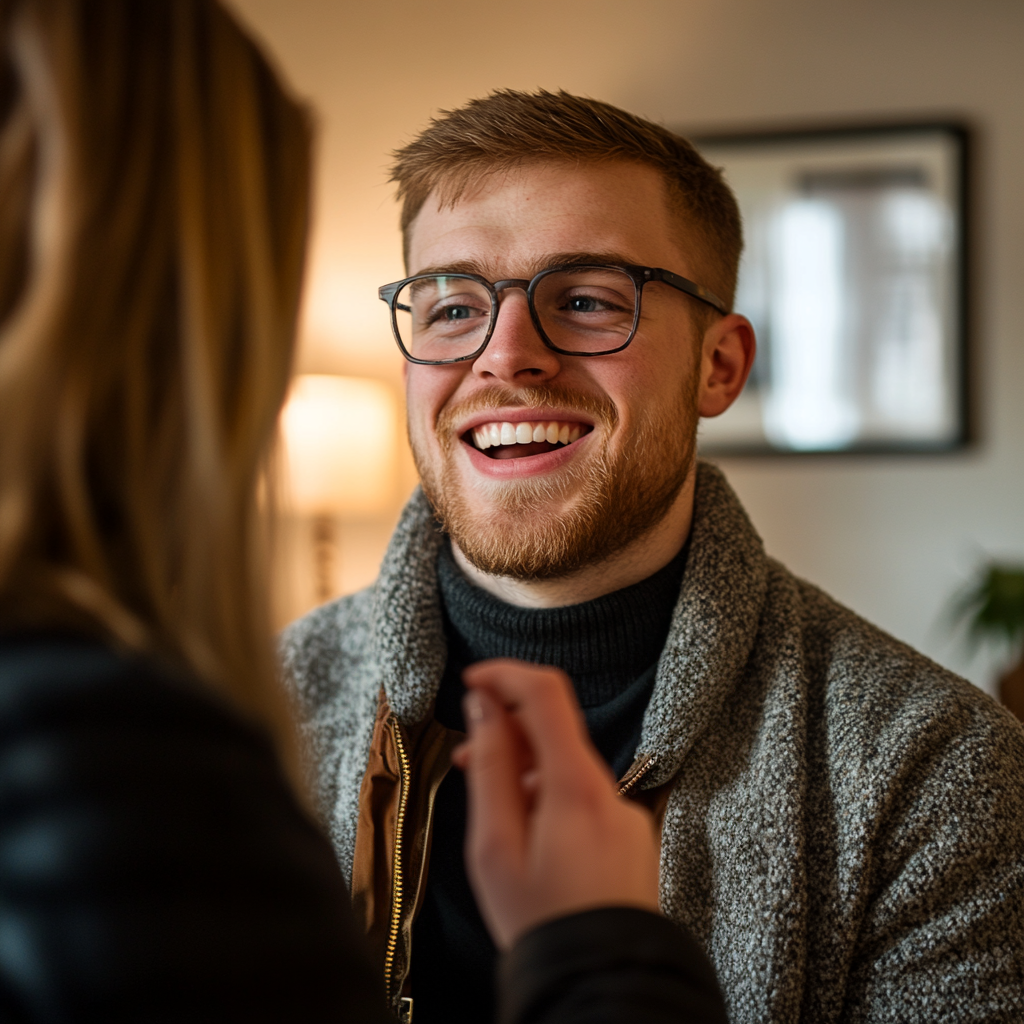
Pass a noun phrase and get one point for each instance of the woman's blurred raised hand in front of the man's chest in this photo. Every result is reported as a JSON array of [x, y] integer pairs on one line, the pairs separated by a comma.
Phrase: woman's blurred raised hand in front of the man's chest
[[547, 835]]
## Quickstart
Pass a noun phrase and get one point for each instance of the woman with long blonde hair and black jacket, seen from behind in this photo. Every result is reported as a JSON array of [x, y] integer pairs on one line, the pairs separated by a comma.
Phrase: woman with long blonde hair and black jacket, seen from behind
[[155, 865]]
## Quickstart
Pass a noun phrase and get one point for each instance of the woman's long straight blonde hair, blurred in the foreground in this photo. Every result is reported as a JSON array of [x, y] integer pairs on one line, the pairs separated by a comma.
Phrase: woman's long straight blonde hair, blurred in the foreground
[[154, 206]]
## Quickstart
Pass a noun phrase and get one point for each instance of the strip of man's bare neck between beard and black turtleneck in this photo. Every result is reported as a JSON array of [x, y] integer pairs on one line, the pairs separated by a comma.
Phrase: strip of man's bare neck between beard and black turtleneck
[[638, 561]]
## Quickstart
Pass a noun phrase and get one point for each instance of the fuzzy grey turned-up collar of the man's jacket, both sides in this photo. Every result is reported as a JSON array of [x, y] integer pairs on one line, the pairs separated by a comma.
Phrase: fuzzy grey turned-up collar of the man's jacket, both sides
[[713, 629]]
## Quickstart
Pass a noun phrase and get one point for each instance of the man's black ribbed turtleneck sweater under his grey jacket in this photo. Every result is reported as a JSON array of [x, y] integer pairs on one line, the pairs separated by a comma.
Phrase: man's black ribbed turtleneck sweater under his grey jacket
[[610, 649]]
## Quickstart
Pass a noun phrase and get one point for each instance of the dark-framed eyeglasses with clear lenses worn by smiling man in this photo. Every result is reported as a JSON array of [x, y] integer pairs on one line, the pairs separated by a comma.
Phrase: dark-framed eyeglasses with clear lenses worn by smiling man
[[578, 311]]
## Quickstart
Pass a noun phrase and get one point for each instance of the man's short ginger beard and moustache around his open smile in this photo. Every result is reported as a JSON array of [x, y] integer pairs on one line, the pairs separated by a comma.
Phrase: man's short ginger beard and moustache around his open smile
[[551, 526]]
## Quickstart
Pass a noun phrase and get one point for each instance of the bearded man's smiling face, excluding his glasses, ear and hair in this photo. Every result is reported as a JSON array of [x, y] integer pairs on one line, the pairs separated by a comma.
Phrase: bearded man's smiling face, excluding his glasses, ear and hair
[[612, 438]]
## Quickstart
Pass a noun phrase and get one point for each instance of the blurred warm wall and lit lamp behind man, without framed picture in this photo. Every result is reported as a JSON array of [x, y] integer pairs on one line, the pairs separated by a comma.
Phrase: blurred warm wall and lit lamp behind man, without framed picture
[[894, 537]]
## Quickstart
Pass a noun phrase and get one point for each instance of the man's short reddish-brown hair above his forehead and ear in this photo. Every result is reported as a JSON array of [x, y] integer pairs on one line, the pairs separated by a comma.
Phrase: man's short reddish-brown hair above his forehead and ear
[[509, 129]]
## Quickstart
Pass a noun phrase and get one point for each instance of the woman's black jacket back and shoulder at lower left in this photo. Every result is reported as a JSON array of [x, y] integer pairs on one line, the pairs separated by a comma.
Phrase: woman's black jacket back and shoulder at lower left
[[148, 833]]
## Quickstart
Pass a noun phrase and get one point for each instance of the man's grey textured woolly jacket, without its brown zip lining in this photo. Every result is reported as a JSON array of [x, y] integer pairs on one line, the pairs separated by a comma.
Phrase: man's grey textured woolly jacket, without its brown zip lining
[[845, 836]]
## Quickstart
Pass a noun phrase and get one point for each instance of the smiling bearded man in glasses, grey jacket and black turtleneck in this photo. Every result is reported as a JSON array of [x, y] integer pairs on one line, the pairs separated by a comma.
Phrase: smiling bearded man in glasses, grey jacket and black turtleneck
[[841, 821]]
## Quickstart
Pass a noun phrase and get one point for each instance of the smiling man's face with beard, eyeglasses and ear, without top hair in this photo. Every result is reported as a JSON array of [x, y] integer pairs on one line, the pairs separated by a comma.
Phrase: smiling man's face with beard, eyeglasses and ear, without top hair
[[559, 456]]
